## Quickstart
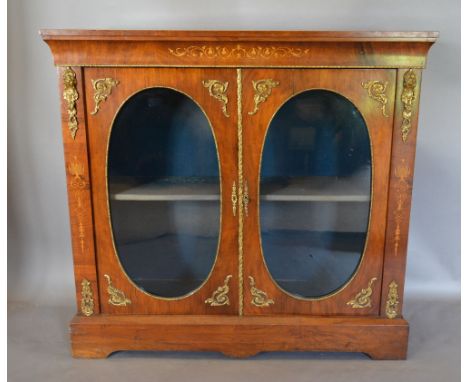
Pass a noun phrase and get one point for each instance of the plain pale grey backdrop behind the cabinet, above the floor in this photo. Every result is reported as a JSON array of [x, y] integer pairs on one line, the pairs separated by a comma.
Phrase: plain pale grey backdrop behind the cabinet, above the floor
[[39, 258]]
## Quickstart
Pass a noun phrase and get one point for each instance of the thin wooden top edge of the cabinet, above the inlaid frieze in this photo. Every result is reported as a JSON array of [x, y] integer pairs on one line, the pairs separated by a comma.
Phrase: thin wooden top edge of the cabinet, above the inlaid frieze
[[228, 35]]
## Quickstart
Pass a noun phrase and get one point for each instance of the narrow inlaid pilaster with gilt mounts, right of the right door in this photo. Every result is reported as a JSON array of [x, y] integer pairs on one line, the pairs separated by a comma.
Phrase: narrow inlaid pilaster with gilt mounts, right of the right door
[[400, 189]]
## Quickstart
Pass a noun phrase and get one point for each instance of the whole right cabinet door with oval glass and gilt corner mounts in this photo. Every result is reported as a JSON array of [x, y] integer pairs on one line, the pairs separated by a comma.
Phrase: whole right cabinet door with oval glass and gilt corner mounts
[[316, 156]]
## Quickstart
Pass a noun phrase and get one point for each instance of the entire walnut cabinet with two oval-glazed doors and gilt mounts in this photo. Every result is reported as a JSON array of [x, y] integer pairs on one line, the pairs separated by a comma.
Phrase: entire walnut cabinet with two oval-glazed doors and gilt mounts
[[239, 191]]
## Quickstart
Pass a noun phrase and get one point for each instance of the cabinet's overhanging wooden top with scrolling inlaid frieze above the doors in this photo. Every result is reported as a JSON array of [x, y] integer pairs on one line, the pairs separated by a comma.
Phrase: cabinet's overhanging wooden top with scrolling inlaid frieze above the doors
[[307, 49]]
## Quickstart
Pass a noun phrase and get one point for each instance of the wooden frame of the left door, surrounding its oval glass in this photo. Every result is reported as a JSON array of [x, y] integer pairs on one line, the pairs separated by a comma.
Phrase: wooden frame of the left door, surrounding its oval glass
[[193, 83]]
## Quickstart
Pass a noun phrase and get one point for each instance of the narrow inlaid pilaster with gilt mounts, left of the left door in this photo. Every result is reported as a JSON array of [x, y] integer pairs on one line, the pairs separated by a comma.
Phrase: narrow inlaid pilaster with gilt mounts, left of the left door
[[74, 129]]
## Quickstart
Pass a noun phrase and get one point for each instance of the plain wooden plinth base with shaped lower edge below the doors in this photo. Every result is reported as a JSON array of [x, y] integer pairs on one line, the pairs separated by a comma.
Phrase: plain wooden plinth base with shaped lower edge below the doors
[[99, 336]]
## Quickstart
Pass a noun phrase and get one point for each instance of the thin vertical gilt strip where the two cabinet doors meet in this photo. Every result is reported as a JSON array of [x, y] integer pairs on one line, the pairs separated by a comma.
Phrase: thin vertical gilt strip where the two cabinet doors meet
[[240, 192]]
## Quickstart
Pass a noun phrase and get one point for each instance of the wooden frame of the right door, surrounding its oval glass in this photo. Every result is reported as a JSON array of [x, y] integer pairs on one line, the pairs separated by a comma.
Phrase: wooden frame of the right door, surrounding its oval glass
[[348, 83]]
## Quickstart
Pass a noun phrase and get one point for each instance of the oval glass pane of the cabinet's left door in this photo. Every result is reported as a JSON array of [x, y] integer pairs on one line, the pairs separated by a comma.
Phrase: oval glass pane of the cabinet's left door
[[164, 192]]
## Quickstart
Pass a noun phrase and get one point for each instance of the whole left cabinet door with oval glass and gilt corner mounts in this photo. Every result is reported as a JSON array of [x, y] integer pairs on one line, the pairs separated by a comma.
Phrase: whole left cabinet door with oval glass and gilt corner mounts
[[163, 162]]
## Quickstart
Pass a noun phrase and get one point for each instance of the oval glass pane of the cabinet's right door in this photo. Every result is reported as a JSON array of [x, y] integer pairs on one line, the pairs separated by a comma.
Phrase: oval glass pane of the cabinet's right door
[[315, 193]]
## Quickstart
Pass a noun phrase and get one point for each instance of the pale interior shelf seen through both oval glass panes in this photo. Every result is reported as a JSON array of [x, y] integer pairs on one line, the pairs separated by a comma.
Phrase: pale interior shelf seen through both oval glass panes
[[305, 189]]
